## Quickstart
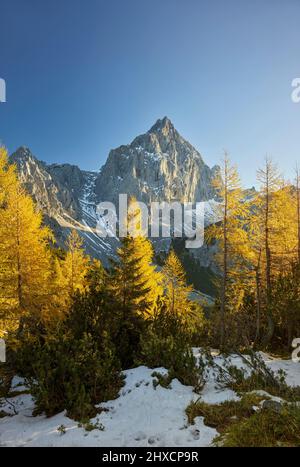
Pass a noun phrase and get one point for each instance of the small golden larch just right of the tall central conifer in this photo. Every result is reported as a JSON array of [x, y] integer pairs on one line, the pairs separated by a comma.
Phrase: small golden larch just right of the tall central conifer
[[176, 289]]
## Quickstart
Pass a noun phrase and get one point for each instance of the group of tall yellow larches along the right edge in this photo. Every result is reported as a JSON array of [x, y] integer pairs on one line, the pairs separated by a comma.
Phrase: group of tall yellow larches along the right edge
[[258, 256]]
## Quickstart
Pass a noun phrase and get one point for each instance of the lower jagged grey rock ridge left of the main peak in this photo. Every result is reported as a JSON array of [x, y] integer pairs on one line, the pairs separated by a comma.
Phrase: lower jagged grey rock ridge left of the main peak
[[66, 196]]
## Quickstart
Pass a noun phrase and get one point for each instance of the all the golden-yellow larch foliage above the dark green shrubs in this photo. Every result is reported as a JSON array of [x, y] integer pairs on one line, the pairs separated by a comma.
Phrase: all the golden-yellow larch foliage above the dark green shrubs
[[257, 254]]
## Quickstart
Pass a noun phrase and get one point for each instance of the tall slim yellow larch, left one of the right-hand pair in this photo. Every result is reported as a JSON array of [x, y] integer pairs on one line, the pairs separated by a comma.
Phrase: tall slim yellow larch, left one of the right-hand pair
[[233, 252]]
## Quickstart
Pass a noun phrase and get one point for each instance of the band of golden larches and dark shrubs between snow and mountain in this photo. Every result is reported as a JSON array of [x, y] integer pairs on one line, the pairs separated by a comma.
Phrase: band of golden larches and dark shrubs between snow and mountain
[[71, 326]]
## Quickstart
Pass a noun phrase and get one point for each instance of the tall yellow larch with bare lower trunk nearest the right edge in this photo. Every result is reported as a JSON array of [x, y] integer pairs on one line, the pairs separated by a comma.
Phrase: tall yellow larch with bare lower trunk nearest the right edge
[[273, 238]]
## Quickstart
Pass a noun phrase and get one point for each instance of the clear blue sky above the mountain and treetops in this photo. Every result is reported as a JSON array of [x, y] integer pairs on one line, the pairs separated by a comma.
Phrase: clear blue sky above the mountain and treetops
[[84, 76]]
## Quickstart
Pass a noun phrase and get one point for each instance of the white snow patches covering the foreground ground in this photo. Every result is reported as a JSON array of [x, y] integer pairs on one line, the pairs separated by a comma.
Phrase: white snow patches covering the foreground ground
[[140, 416]]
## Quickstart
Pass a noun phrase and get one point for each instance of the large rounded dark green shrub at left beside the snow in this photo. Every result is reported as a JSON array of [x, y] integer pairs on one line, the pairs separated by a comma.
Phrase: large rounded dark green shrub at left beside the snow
[[73, 375]]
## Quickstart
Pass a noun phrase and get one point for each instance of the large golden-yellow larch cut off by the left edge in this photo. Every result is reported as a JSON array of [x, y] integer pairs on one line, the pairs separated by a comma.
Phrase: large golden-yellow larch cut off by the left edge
[[25, 259]]
